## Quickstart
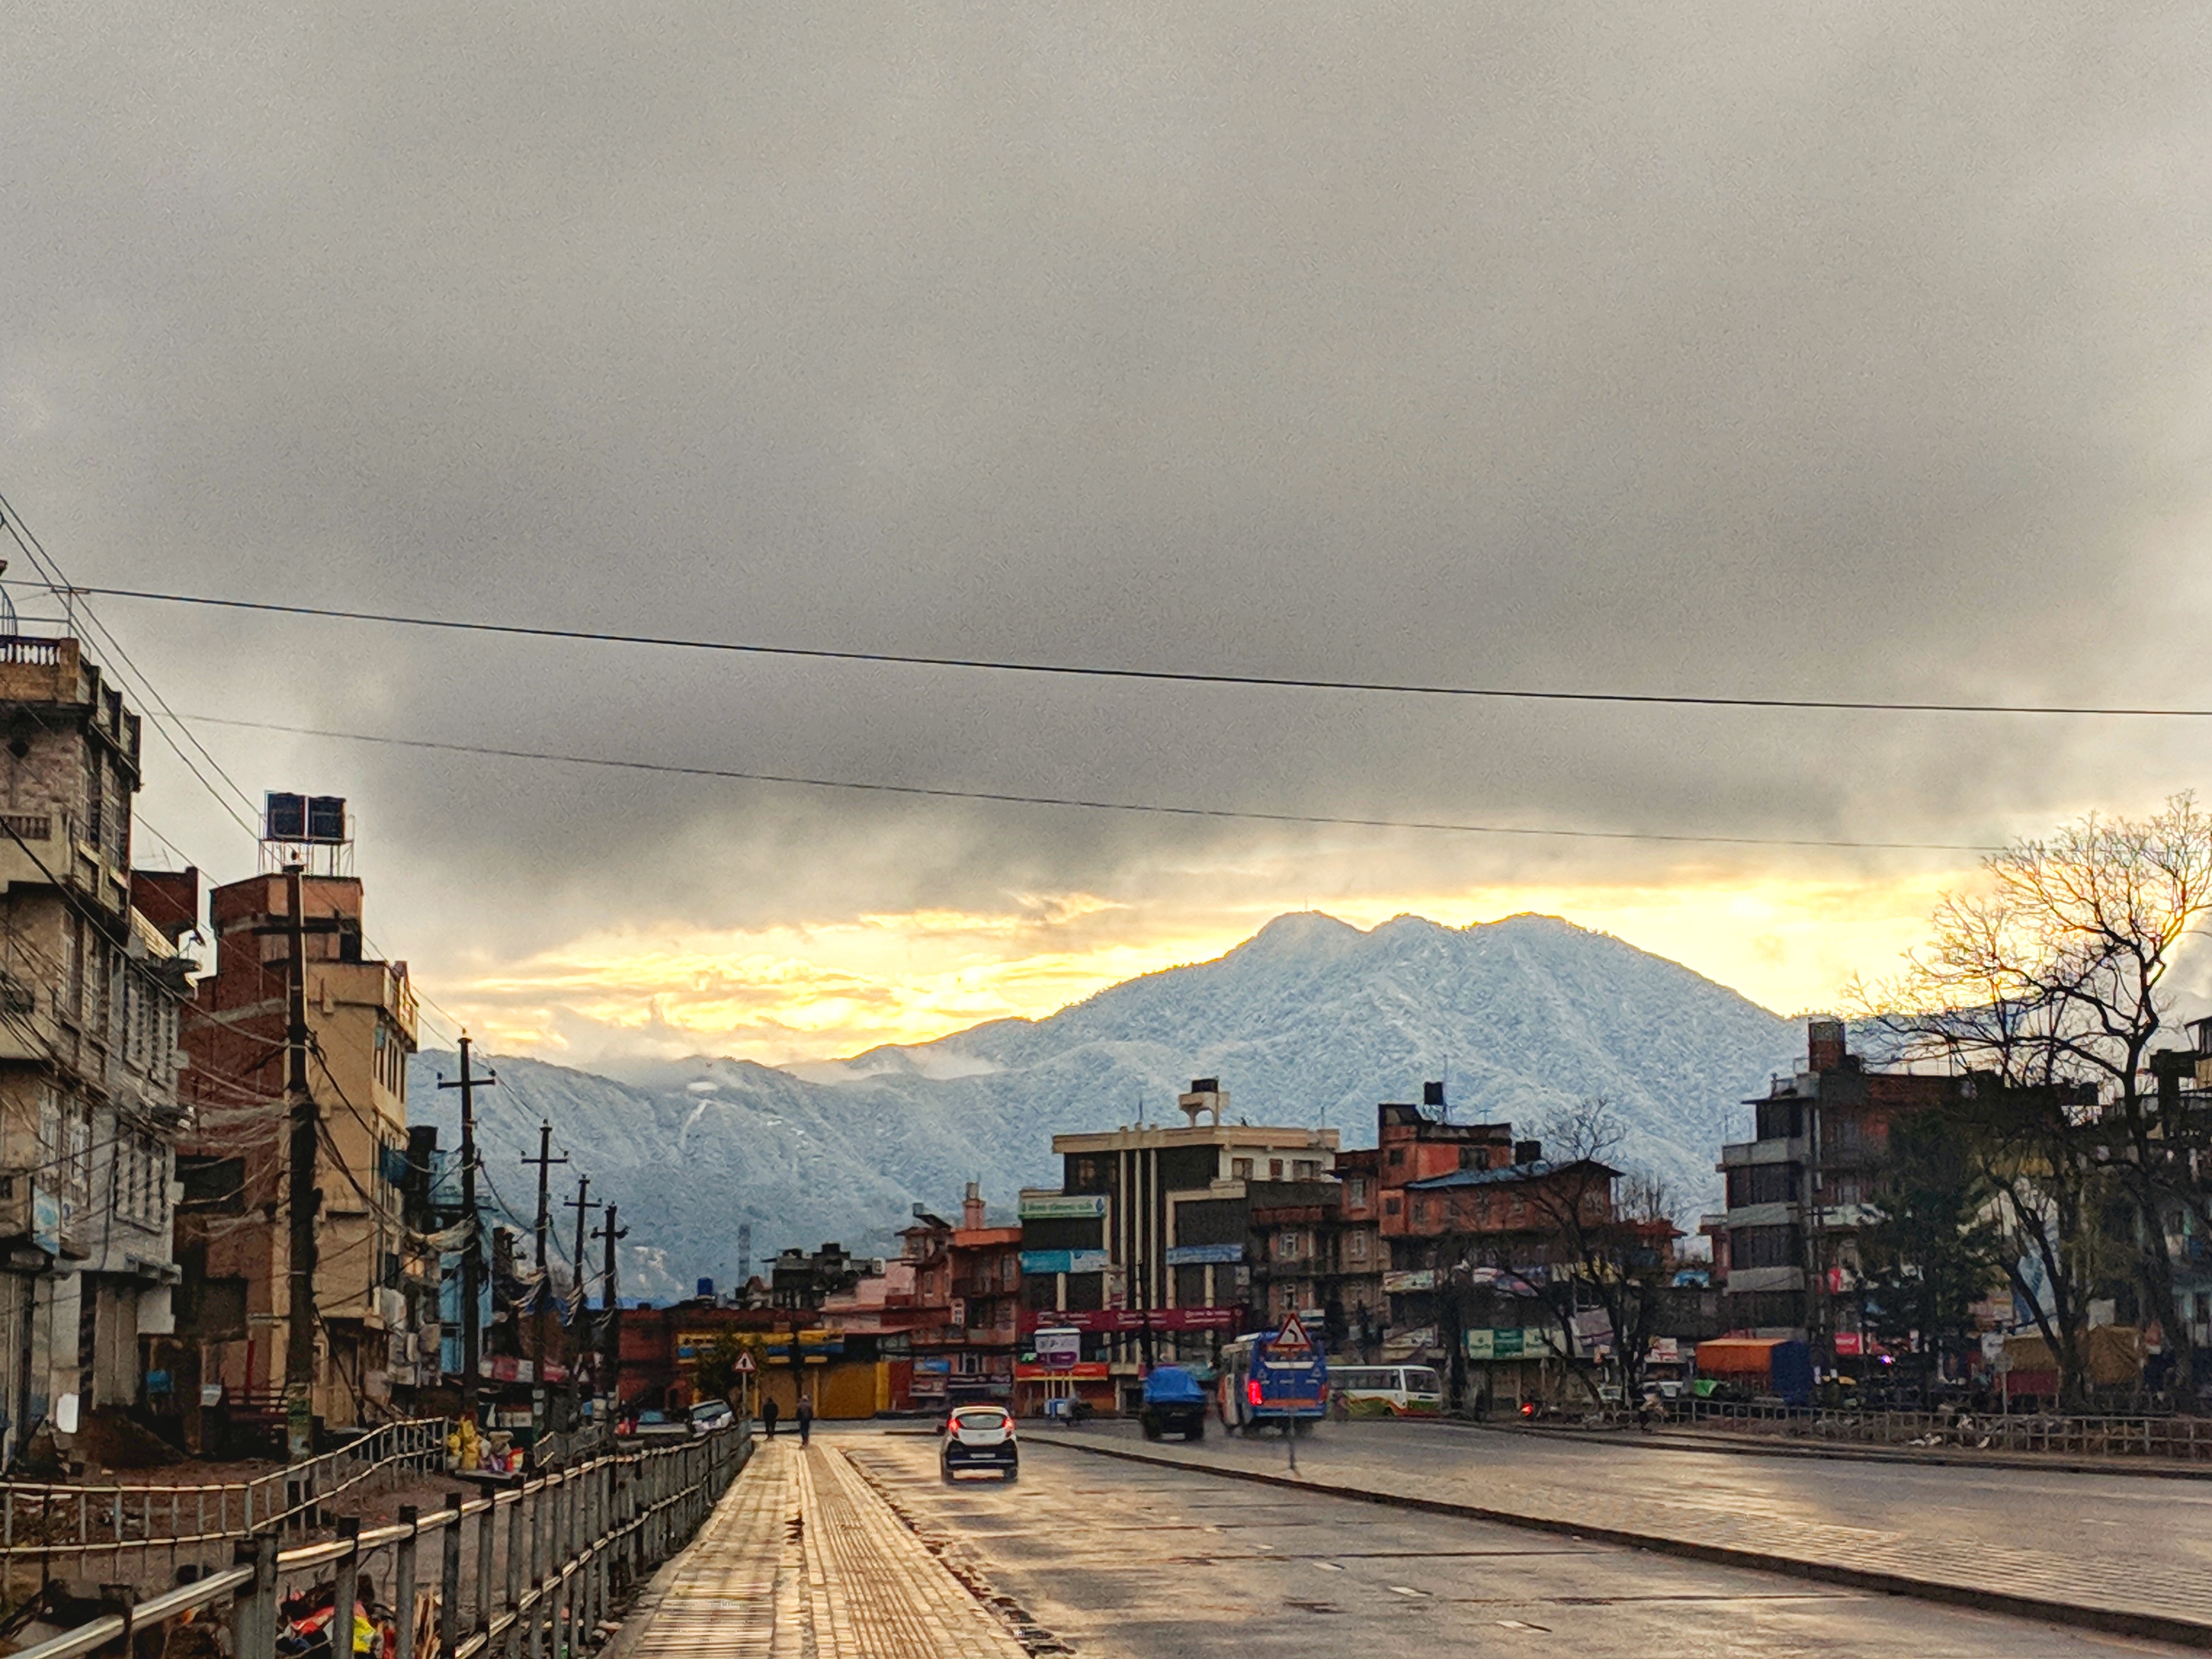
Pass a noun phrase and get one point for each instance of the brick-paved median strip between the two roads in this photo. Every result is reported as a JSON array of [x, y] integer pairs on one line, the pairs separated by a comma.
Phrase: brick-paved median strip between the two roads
[[2056, 1580]]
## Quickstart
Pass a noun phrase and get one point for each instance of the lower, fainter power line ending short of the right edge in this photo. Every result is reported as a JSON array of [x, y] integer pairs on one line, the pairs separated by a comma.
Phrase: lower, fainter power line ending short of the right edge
[[1003, 797]]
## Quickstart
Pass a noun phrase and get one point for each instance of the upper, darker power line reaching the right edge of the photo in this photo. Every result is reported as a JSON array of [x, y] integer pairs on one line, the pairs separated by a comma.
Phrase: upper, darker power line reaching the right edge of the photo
[[1169, 676]]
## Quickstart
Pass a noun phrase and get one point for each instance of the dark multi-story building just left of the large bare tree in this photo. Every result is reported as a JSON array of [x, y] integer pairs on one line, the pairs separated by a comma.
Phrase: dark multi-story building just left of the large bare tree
[[1804, 1189]]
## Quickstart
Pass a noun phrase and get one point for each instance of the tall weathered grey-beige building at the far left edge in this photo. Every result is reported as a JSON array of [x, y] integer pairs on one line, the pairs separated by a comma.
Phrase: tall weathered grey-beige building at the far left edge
[[90, 997]]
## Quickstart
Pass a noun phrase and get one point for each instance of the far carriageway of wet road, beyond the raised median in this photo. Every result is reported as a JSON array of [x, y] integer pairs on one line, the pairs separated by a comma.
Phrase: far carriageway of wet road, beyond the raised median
[[2158, 1525]]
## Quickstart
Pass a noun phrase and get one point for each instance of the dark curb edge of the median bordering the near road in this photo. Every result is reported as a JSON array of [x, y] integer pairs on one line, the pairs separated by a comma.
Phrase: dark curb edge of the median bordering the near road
[[2158, 1627]]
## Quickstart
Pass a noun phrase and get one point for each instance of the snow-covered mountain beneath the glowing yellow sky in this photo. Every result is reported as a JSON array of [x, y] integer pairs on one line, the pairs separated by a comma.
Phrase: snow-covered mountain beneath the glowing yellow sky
[[1306, 1023]]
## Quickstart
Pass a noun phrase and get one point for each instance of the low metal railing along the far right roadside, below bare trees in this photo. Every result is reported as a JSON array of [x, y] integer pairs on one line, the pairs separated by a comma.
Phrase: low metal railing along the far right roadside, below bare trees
[[2098, 1437]]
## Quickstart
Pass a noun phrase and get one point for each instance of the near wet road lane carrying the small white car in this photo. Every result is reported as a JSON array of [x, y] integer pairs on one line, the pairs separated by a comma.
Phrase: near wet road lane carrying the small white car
[[1136, 1563]]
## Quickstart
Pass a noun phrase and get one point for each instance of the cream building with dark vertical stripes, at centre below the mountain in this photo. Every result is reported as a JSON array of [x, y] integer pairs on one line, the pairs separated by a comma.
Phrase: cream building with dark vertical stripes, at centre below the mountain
[[1147, 1244]]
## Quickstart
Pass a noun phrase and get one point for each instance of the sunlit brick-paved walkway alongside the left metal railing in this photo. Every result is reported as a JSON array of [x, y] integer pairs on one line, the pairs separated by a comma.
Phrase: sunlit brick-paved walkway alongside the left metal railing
[[804, 1561]]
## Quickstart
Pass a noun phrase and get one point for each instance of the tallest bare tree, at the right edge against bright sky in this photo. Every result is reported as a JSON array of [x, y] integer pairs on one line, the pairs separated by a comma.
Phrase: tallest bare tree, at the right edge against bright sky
[[2052, 979]]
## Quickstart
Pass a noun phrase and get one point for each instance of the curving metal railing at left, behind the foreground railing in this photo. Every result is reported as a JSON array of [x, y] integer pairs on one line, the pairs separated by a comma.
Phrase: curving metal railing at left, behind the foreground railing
[[41, 1523]]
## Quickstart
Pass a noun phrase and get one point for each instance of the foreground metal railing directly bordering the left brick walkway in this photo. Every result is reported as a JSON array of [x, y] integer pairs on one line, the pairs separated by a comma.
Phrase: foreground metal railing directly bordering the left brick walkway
[[574, 1541]]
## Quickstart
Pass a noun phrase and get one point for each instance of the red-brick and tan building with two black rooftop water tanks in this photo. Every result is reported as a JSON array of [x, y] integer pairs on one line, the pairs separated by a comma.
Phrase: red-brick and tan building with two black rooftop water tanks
[[236, 1238]]
